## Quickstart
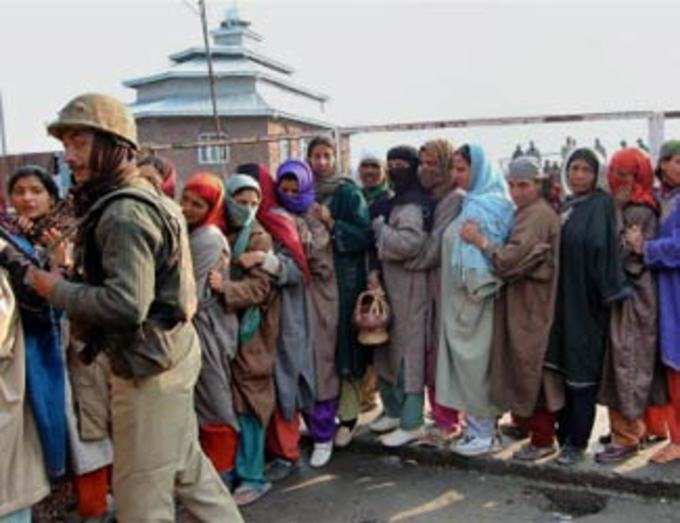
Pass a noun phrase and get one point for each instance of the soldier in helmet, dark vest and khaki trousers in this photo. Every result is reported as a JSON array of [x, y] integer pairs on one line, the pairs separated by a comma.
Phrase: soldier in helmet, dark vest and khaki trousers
[[135, 300]]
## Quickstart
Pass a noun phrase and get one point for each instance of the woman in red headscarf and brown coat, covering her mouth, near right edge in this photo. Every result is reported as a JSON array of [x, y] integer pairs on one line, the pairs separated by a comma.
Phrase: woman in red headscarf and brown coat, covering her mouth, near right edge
[[631, 378]]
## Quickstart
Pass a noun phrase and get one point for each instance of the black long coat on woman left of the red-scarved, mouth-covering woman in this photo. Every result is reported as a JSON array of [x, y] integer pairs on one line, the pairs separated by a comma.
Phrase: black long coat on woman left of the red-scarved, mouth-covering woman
[[591, 279]]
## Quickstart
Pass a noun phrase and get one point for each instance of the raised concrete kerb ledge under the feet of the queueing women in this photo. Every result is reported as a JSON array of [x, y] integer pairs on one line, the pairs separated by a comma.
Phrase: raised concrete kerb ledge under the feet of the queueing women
[[634, 476]]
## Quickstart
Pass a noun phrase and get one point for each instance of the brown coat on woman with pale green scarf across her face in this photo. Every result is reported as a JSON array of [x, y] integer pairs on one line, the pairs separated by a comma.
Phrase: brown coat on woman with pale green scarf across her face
[[253, 366]]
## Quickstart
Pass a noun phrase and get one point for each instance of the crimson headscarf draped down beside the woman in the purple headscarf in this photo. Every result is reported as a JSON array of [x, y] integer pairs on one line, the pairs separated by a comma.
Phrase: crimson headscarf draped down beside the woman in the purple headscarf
[[280, 226]]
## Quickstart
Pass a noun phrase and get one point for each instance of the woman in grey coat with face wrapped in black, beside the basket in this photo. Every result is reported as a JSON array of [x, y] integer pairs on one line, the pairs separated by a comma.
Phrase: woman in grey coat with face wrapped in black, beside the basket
[[401, 365]]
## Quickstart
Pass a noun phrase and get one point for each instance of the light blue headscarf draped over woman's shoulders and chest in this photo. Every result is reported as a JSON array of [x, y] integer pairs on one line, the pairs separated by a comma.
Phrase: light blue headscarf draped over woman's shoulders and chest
[[488, 203]]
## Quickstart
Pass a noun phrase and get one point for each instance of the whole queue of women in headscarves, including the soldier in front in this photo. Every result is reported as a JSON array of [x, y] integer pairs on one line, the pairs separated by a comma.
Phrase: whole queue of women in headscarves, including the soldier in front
[[165, 355]]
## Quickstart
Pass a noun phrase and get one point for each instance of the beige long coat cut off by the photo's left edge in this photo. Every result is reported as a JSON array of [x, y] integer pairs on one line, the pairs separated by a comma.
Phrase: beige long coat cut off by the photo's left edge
[[23, 481]]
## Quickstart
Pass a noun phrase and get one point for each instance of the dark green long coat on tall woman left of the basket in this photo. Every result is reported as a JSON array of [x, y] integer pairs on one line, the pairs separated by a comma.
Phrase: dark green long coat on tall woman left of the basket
[[351, 240]]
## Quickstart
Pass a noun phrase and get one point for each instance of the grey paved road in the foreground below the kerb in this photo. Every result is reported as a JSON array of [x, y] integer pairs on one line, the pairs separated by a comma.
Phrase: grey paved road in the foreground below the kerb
[[360, 488]]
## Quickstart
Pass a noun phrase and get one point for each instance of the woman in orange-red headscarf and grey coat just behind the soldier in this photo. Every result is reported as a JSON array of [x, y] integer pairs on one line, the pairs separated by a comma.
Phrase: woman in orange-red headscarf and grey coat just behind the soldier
[[217, 327]]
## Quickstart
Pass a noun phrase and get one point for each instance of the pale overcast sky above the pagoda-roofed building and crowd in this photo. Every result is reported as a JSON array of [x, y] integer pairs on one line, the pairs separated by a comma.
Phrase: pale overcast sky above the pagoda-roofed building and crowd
[[379, 61]]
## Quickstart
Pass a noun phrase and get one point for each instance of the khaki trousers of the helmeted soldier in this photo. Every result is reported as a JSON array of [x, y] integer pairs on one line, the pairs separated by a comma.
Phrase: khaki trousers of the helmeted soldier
[[156, 450]]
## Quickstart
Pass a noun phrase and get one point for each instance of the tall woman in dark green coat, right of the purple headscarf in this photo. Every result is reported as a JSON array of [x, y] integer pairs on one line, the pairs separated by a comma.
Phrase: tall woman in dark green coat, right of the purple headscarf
[[341, 206]]
